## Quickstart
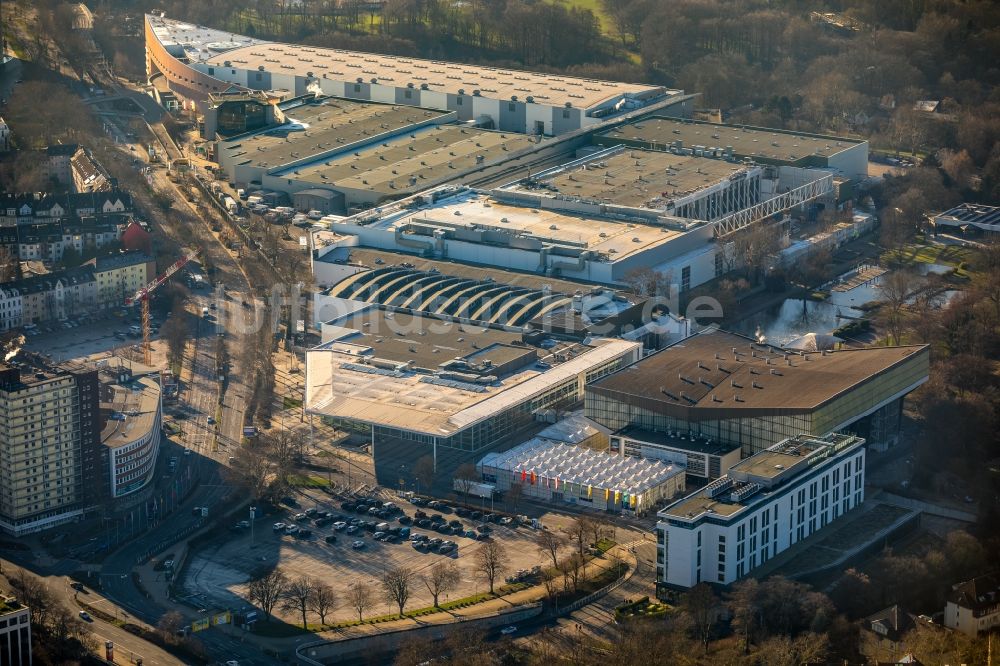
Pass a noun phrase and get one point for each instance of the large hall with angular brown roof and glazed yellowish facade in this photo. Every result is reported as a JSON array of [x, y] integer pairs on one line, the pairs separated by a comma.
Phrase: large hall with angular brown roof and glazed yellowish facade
[[722, 387]]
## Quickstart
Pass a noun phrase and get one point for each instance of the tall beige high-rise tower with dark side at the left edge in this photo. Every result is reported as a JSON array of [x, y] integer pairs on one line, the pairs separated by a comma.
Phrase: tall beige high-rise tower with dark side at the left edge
[[49, 434]]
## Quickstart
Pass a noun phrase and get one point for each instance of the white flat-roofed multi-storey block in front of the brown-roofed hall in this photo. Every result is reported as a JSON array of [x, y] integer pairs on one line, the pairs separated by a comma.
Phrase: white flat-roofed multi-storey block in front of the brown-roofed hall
[[765, 504]]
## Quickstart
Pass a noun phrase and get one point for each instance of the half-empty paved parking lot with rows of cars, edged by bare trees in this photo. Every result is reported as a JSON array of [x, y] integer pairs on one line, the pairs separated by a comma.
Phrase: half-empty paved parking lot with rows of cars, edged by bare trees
[[220, 572]]
